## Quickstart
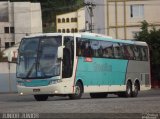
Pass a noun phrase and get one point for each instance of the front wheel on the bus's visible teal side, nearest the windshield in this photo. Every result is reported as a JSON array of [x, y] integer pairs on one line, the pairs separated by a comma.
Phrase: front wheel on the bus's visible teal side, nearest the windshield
[[78, 91]]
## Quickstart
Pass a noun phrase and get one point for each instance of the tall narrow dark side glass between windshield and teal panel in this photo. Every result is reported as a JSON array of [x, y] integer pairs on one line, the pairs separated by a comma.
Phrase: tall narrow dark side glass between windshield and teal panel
[[68, 56]]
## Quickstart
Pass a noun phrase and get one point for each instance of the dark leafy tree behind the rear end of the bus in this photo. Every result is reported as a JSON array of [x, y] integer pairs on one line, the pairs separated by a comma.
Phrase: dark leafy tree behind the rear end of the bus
[[152, 37]]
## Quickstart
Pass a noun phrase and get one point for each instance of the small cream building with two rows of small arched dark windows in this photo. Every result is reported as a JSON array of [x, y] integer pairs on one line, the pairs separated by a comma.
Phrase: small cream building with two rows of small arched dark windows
[[71, 22]]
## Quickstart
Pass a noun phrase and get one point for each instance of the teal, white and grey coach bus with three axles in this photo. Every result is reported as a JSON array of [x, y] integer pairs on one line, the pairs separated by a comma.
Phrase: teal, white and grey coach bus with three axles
[[70, 64]]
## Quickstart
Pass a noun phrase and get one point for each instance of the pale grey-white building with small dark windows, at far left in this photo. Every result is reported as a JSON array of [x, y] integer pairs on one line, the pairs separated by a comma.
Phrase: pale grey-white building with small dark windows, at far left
[[18, 19]]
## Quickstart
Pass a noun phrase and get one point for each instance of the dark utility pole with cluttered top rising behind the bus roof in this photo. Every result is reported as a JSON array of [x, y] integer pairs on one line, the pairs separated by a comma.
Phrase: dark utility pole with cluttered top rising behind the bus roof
[[90, 6]]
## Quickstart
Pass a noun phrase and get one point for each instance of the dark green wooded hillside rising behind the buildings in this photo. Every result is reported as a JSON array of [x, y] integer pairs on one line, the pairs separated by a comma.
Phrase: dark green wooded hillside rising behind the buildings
[[50, 8]]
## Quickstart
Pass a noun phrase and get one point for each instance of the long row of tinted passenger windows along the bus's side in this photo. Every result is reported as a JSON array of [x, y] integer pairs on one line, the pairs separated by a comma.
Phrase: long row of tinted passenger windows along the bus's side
[[107, 49]]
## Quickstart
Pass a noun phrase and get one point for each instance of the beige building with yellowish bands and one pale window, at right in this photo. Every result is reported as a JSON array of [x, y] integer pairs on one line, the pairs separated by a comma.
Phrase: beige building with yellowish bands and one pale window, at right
[[124, 17]]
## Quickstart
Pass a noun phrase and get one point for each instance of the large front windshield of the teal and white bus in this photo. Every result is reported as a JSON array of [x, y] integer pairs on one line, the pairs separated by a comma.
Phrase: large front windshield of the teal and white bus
[[38, 57]]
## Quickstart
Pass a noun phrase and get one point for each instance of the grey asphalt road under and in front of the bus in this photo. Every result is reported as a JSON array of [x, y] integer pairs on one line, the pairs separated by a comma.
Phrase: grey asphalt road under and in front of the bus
[[146, 102]]
